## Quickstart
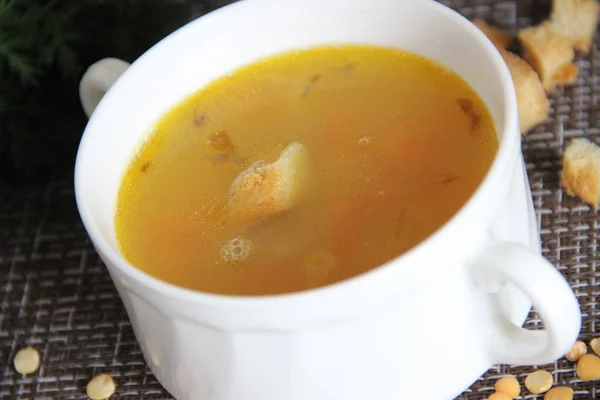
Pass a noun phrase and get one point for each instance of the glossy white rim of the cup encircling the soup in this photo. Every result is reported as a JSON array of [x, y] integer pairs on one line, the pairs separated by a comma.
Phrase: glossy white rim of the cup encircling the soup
[[509, 138]]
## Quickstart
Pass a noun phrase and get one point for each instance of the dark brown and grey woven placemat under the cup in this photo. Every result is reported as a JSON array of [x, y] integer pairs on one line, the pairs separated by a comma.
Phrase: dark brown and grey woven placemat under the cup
[[56, 295]]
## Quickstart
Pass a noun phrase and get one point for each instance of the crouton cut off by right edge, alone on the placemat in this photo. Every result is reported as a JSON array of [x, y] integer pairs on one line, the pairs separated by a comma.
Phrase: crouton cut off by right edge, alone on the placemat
[[581, 171]]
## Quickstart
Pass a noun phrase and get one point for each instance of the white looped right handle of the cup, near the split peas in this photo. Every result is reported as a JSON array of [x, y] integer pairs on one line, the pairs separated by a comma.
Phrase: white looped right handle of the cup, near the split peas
[[550, 294]]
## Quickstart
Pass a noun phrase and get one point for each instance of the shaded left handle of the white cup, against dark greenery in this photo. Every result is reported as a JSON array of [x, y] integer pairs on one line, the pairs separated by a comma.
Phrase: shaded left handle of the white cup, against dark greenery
[[96, 81]]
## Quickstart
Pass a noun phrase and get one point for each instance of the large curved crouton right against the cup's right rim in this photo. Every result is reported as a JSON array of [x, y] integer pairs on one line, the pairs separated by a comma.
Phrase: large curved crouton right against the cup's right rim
[[531, 98]]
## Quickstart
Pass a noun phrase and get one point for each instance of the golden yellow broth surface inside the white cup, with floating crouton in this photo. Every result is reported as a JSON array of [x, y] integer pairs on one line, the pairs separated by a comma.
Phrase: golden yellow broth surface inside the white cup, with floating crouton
[[302, 170]]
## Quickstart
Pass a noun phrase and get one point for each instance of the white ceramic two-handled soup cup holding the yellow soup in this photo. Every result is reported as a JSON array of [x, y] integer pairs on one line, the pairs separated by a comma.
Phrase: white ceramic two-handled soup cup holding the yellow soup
[[424, 325]]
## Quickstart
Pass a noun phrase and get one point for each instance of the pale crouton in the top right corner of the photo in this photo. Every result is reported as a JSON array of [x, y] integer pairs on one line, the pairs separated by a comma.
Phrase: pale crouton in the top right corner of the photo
[[576, 20]]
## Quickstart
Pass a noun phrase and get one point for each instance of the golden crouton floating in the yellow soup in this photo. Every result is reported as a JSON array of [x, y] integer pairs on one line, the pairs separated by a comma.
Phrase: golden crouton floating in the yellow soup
[[264, 190]]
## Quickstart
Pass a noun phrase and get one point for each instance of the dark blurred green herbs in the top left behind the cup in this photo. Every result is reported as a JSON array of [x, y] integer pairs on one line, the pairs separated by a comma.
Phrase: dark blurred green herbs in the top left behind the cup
[[45, 46]]
